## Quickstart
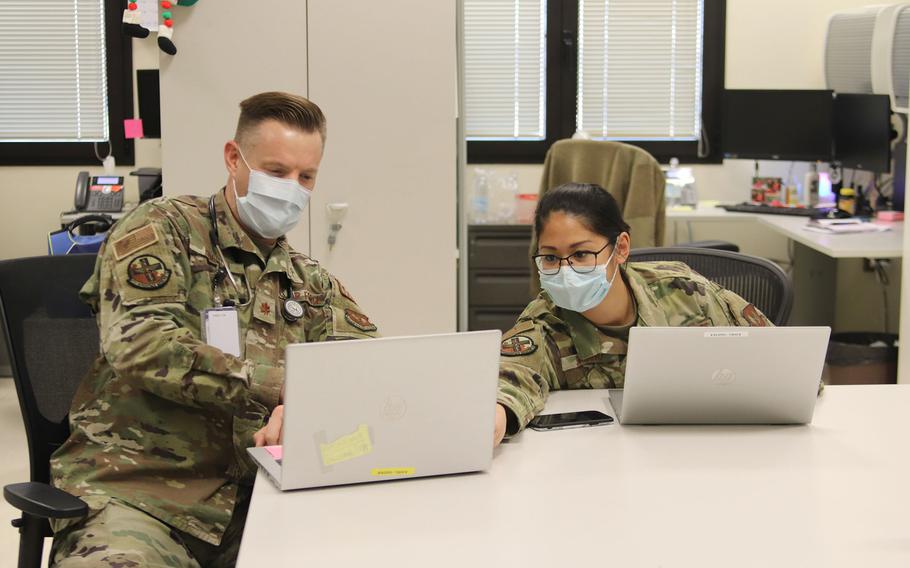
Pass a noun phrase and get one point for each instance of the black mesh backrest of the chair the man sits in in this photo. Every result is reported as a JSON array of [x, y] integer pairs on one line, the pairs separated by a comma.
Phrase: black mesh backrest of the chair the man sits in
[[52, 339]]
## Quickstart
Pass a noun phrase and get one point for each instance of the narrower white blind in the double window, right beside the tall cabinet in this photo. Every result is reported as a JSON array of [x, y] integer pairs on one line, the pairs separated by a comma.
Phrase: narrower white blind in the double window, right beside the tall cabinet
[[505, 69]]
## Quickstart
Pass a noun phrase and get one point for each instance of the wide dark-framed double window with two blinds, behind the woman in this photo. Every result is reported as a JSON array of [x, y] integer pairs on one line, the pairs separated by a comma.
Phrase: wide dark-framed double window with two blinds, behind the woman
[[646, 72]]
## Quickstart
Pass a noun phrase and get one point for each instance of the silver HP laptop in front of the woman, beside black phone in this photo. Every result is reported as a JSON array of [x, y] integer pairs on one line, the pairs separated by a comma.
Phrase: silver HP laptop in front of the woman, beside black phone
[[721, 375]]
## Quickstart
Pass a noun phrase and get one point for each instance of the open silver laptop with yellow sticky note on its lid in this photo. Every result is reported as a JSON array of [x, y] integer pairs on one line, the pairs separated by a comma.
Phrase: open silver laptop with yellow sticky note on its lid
[[392, 408]]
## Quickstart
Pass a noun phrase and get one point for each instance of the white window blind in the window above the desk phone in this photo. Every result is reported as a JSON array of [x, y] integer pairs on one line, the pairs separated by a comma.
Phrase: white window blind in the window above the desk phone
[[53, 80]]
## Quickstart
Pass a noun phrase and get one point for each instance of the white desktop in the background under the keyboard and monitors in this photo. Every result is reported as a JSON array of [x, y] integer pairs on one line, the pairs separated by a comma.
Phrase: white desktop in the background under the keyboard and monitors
[[888, 244]]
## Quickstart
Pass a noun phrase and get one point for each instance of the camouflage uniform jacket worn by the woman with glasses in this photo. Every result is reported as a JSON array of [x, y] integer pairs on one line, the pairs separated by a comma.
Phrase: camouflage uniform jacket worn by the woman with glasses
[[550, 348]]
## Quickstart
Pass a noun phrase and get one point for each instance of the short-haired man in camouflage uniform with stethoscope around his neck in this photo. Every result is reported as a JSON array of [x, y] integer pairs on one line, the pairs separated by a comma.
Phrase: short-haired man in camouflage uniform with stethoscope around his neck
[[161, 423]]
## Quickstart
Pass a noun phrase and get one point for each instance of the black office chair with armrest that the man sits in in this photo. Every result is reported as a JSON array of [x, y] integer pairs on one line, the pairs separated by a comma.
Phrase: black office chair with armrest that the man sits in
[[52, 339]]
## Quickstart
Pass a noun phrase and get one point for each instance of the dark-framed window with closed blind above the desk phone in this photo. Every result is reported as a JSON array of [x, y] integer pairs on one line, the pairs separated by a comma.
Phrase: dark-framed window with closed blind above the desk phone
[[65, 82]]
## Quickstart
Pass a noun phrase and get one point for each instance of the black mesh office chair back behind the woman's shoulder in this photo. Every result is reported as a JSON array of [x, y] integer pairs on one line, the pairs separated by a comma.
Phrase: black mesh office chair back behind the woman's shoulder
[[759, 281]]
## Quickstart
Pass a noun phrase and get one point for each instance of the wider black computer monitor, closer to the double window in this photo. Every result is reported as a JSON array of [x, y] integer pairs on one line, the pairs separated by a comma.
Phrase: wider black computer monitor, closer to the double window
[[778, 125]]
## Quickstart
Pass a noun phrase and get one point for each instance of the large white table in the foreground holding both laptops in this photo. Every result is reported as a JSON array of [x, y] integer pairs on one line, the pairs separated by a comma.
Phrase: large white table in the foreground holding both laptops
[[832, 494]]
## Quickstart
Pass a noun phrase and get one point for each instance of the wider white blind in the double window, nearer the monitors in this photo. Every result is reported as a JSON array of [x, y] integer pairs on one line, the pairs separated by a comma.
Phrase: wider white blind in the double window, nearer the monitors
[[639, 69]]
